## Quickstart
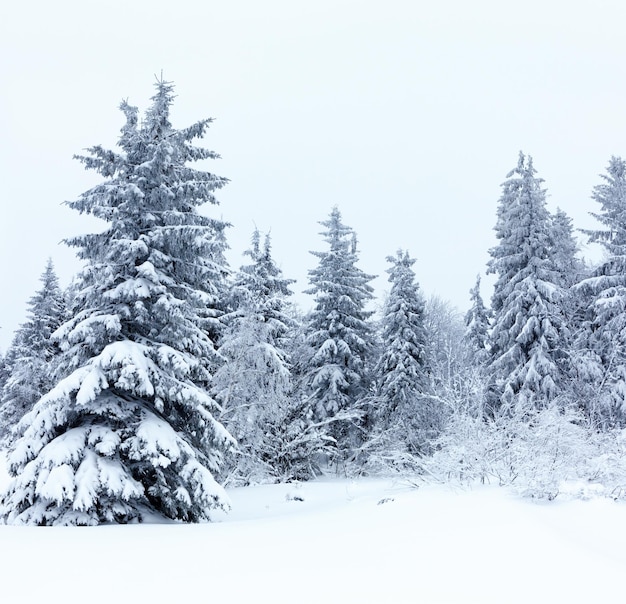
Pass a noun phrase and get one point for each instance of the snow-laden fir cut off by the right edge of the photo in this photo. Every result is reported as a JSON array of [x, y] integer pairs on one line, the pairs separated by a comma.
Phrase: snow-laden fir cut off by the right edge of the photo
[[602, 338]]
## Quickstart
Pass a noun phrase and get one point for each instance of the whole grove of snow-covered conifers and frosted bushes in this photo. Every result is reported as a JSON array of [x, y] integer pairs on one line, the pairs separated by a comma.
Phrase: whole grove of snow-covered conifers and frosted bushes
[[161, 374]]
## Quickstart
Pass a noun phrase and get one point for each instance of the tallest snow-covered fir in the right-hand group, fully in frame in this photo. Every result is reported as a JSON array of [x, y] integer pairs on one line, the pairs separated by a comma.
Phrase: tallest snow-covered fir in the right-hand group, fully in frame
[[529, 334]]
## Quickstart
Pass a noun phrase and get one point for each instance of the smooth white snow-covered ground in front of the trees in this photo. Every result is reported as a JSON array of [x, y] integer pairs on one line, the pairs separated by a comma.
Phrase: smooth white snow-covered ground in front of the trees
[[334, 541]]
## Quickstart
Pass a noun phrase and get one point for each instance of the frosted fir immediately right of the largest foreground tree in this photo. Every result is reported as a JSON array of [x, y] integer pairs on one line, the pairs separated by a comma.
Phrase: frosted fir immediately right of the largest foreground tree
[[254, 384]]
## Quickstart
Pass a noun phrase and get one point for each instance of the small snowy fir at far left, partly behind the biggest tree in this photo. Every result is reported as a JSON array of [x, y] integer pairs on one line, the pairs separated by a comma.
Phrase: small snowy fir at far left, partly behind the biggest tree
[[31, 367]]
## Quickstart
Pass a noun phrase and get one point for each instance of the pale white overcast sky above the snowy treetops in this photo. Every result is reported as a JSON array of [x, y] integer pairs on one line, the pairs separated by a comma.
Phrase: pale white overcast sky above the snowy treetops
[[406, 114]]
